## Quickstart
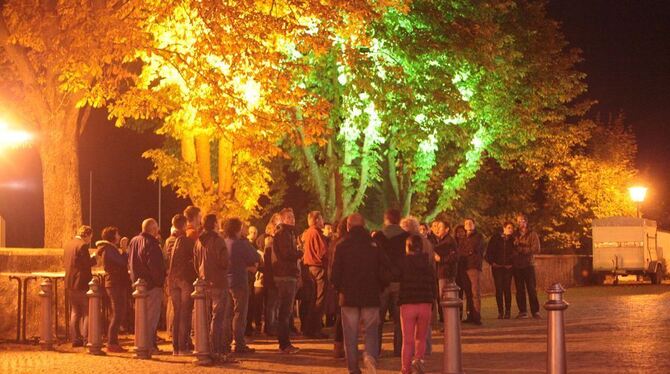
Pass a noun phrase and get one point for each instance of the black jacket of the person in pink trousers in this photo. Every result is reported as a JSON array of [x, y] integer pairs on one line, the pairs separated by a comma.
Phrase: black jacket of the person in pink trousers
[[417, 281]]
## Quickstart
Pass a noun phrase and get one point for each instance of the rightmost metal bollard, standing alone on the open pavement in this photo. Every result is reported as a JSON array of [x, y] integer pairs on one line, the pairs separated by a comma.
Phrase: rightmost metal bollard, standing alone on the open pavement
[[555, 306]]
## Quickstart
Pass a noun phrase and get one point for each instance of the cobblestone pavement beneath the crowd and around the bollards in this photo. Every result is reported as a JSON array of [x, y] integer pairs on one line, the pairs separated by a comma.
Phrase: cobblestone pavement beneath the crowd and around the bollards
[[623, 329]]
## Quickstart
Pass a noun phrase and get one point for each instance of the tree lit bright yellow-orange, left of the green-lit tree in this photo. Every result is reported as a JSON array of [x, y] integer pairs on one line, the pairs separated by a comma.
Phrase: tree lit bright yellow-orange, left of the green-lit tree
[[223, 76]]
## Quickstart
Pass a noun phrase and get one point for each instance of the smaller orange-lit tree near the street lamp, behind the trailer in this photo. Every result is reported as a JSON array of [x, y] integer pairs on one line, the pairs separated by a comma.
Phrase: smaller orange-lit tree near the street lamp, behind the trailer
[[574, 175]]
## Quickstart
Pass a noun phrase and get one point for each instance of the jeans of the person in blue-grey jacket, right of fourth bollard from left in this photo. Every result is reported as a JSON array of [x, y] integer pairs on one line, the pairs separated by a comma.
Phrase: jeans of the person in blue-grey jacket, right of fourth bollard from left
[[235, 317]]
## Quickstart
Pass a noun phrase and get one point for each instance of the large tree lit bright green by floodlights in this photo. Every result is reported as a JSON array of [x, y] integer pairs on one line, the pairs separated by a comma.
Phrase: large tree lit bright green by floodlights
[[434, 92]]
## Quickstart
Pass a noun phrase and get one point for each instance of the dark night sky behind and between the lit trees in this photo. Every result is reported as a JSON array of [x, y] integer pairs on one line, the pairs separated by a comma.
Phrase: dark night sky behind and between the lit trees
[[626, 50]]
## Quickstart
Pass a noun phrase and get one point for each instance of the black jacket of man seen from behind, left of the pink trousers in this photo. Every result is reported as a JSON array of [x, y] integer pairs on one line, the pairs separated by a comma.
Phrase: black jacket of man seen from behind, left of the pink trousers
[[357, 269]]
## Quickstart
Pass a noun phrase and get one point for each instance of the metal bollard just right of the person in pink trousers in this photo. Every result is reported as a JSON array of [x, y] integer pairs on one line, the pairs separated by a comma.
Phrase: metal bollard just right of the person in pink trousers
[[452, 361]]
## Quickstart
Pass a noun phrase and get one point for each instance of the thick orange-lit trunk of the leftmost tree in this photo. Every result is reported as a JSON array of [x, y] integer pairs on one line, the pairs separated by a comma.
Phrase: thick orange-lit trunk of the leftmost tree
[[60, 178]]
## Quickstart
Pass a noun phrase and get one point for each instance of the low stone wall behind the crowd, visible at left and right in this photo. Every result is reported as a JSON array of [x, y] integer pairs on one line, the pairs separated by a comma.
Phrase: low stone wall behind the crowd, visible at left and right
[[567, 269]]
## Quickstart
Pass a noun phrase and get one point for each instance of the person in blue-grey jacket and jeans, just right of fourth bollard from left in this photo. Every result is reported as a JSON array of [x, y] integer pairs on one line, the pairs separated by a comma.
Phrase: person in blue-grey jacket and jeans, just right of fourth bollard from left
[[243, 259]]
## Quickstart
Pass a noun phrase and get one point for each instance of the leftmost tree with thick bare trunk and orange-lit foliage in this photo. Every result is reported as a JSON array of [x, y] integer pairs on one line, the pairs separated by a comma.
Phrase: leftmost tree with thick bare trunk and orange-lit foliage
[[57, 60]]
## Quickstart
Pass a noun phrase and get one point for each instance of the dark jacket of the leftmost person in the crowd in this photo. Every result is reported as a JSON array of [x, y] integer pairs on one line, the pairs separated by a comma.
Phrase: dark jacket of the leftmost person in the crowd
[[78, 263]]
